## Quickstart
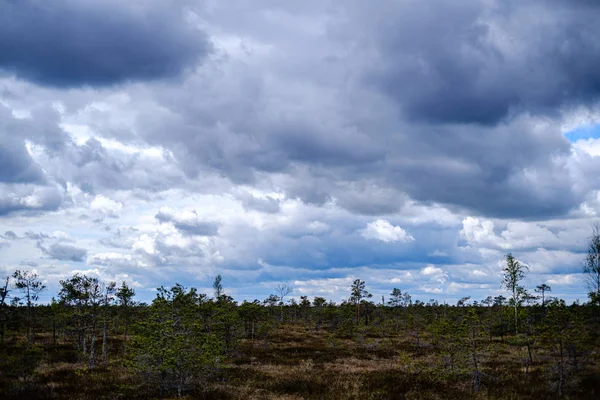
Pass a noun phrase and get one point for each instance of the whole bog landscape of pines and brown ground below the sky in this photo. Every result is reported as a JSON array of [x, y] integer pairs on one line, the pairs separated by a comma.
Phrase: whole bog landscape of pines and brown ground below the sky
[[95, 341]]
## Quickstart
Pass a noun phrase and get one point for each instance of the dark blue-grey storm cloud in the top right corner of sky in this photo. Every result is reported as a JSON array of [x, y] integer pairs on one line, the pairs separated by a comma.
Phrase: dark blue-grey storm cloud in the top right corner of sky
[[479, 61]]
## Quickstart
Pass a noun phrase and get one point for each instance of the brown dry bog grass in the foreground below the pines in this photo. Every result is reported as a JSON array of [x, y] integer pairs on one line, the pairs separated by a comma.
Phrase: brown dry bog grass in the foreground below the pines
[[297, 363]]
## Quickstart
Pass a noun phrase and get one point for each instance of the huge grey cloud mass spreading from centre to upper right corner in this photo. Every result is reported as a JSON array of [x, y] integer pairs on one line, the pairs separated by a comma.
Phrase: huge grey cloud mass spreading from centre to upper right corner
[[472, 81]]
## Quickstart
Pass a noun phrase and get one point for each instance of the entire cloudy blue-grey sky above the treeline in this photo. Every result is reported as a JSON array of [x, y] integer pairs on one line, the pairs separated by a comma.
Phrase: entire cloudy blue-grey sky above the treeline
[[408, 143]]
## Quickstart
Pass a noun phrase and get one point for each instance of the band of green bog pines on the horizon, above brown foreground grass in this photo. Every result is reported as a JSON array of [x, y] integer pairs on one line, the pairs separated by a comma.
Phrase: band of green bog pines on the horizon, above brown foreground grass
[[183, 338]]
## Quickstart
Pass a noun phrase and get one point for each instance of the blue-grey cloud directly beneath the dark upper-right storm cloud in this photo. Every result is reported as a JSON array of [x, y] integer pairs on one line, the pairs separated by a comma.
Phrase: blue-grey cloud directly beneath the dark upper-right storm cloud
[[515, 170]]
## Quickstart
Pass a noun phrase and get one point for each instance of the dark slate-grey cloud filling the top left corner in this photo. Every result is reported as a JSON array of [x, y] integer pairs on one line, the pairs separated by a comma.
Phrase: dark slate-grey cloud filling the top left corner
[[67, 43]]
